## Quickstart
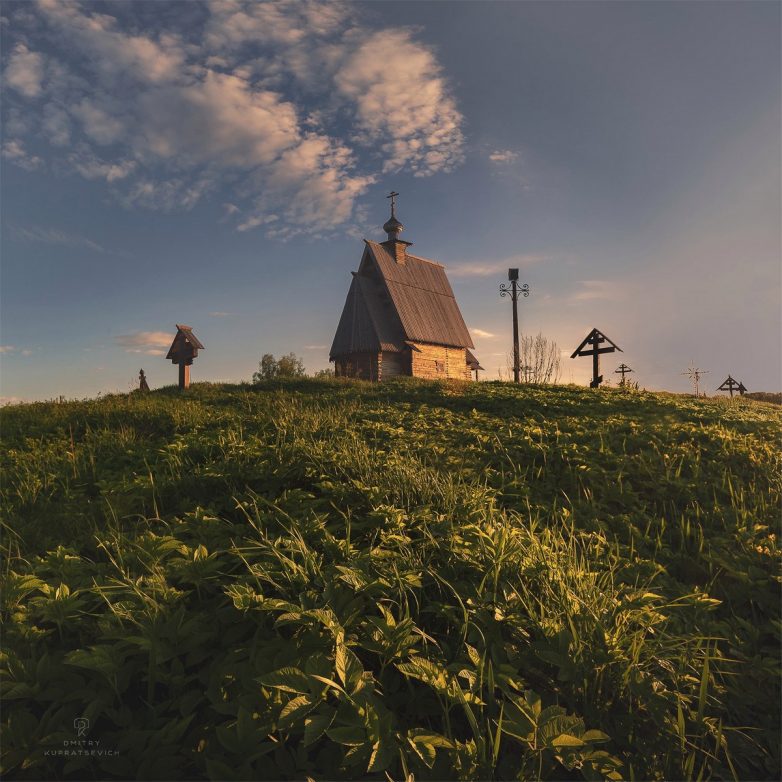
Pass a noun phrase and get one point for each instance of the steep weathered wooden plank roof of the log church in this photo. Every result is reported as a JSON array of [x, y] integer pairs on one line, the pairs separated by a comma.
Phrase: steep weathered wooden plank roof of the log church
[[391, 303]]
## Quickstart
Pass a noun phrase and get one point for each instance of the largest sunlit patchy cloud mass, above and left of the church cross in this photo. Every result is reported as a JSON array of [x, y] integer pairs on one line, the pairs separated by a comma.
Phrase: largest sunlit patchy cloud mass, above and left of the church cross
[[252, 95]]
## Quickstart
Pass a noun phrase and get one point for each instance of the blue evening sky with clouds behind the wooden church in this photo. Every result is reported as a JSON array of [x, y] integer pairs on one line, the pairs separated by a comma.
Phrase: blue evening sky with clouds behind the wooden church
[[218, 164]]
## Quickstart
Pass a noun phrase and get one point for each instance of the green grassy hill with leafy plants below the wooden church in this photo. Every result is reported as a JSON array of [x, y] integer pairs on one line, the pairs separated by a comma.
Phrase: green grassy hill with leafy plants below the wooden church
[[340, 580]]
